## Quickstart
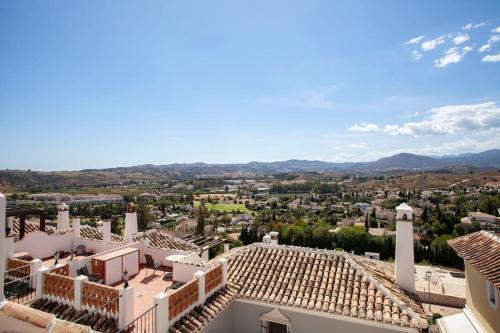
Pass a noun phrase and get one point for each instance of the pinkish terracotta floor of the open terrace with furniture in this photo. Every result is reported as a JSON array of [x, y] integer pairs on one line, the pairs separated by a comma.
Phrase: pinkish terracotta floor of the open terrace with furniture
[[146, 286]]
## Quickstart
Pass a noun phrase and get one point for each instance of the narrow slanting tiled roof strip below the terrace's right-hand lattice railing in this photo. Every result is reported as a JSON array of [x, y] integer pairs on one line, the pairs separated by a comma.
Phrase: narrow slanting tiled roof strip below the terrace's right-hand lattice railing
[[200, 316]]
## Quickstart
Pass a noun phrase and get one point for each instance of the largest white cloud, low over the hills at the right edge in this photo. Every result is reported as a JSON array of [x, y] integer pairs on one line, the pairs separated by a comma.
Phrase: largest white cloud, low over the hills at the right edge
[[451, 119]]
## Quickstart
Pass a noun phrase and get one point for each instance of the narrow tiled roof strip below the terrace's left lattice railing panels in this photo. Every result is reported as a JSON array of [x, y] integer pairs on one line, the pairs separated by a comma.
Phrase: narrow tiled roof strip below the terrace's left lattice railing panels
[[98, 322]]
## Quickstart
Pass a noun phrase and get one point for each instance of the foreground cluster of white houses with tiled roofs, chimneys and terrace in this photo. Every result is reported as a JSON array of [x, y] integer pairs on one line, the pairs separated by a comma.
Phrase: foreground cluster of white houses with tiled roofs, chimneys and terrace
[[155, 282]]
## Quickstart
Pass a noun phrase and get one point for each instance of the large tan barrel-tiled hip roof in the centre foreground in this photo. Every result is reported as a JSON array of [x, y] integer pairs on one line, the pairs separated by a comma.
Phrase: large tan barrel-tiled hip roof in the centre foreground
[[324, 281]]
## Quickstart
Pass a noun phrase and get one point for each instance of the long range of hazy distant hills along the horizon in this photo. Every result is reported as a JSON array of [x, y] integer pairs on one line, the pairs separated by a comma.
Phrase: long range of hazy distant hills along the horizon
[[147, 173]]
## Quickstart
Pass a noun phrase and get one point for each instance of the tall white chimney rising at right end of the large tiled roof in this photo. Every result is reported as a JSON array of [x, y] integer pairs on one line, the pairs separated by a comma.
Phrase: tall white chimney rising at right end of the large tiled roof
[[405, 262]]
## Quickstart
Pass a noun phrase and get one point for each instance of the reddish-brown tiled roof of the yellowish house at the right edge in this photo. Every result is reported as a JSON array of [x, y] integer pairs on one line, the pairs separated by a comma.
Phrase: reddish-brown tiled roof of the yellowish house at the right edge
[[482, 251]]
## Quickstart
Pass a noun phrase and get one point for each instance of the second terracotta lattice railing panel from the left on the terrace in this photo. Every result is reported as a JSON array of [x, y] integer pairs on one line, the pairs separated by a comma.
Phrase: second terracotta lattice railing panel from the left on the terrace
[[97, 295]]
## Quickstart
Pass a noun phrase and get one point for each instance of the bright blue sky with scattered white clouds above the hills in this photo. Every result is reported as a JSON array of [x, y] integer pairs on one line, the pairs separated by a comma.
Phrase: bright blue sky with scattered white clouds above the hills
[[96, 84]]
